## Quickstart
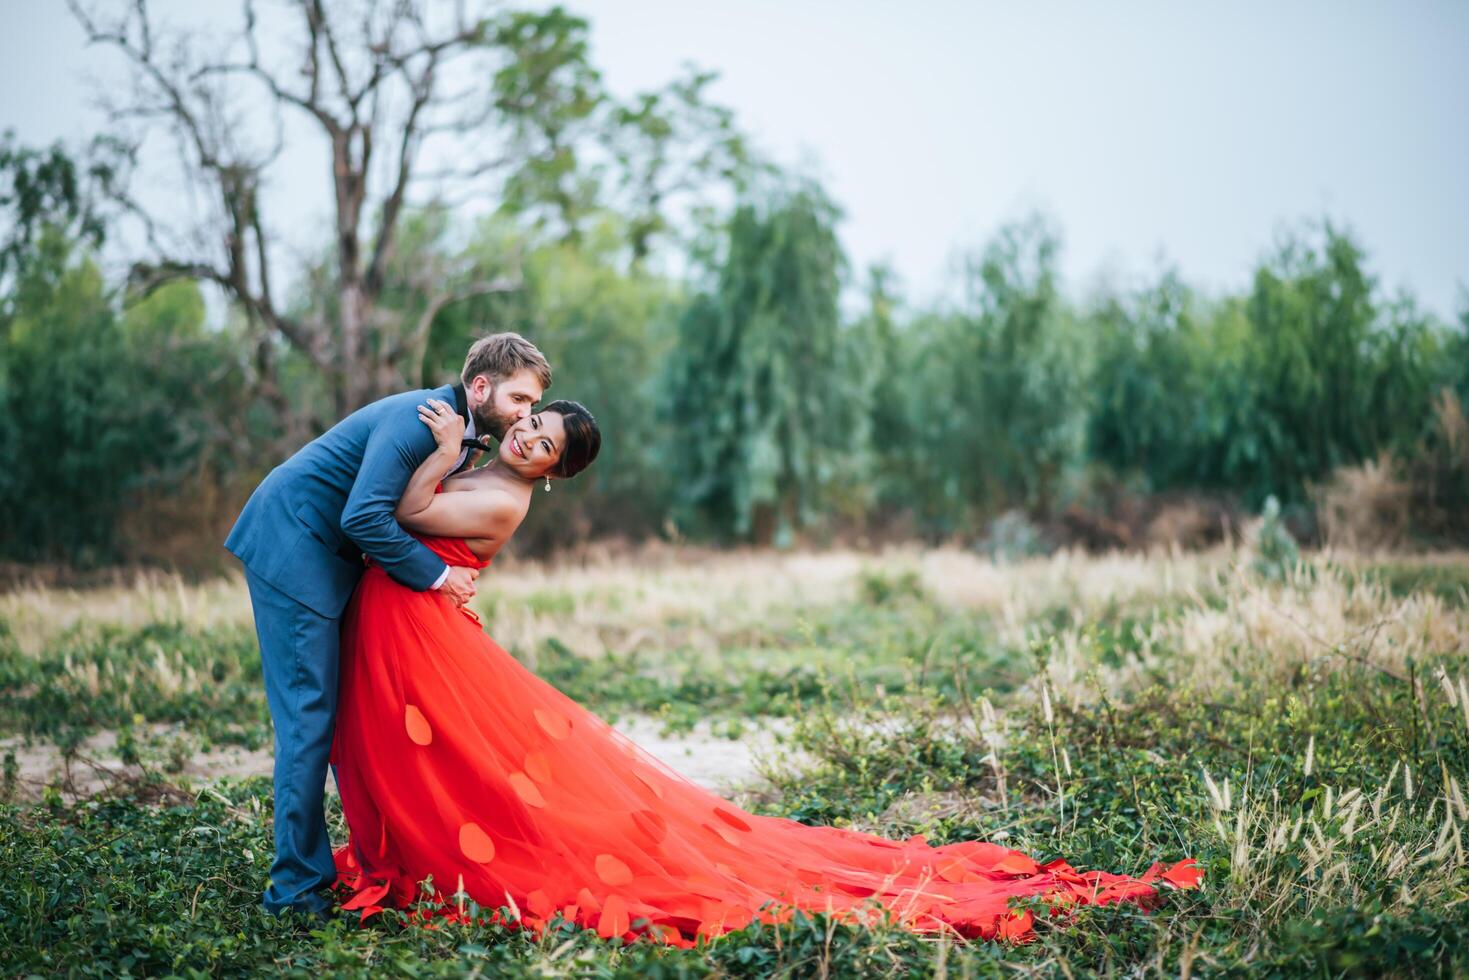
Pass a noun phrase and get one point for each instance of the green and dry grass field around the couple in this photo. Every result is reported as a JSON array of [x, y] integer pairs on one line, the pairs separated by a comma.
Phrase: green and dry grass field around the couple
[[1302, 732]]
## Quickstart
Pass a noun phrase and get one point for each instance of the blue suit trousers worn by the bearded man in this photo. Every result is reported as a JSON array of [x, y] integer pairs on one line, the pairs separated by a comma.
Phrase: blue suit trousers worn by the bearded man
[[300, 659]]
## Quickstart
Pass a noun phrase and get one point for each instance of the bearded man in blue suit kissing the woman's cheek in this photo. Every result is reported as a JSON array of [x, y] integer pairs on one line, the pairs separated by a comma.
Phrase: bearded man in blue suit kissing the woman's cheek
[[303, 536]]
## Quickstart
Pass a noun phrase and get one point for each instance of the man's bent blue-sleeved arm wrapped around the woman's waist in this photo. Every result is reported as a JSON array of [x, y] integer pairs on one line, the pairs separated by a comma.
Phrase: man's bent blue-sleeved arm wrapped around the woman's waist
[[389, 462]]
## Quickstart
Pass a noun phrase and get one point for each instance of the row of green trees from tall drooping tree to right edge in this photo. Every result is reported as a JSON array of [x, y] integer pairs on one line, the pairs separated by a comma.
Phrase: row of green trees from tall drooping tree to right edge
[[1086, 418]]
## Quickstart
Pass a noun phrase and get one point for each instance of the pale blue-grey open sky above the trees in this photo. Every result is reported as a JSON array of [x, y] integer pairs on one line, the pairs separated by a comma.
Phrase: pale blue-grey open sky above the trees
[[1149, 133]]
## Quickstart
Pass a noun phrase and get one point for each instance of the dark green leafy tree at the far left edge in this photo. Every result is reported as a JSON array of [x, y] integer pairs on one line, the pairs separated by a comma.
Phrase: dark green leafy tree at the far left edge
[[99, 409]]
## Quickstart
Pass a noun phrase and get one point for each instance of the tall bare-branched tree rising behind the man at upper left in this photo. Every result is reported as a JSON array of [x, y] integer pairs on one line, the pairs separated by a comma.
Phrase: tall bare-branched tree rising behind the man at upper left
[[375, 83]]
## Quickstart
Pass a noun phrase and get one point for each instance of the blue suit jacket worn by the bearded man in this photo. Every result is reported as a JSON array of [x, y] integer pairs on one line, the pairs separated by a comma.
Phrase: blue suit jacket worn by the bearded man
[[308, 524]]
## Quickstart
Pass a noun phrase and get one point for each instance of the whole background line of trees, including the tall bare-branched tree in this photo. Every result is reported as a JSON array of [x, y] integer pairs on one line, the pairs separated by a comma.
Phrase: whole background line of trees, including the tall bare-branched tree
[[753, 387]]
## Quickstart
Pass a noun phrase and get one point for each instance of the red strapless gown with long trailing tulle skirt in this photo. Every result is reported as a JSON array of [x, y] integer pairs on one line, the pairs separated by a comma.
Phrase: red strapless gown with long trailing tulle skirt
[[455, 762]]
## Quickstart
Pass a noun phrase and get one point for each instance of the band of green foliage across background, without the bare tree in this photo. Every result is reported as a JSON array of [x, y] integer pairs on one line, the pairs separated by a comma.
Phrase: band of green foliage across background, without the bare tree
[[741, 405]]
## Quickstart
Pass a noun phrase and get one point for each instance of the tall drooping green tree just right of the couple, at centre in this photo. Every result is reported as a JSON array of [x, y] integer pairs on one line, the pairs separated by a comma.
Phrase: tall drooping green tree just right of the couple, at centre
[[762, 411]]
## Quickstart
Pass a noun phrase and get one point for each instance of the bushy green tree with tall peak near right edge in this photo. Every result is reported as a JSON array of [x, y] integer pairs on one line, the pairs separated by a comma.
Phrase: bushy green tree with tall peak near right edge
[[1311, 372]]
